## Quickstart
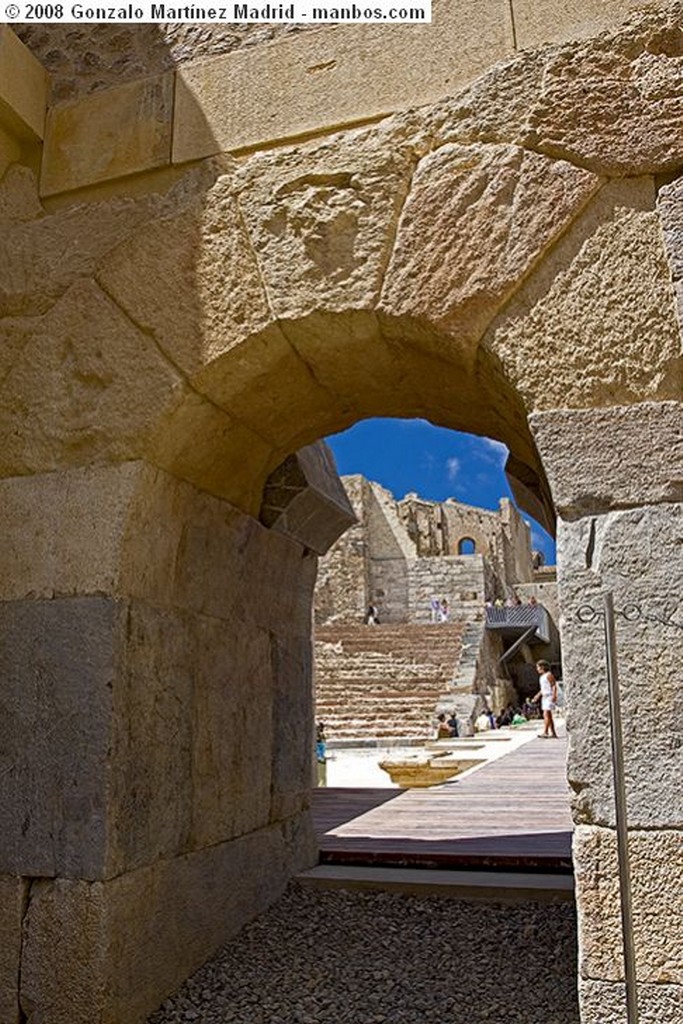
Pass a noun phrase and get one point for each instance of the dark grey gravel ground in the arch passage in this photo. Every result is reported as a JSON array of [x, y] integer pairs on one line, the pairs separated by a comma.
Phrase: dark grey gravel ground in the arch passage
[[360, 958]]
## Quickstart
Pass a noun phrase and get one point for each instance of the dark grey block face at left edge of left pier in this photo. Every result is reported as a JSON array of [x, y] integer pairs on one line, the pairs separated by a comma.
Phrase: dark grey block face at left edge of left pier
[[58, 667]]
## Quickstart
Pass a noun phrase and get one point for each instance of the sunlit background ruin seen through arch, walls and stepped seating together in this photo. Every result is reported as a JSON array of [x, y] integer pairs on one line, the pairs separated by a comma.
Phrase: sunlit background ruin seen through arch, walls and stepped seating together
[[442, 638]]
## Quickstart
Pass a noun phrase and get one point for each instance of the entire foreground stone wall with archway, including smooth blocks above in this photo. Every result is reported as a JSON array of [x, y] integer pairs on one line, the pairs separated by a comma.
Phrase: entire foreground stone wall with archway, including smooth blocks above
[[219, 247]]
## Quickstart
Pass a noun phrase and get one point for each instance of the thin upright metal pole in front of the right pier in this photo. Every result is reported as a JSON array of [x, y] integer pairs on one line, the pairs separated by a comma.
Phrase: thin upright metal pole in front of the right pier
[[621, 814]]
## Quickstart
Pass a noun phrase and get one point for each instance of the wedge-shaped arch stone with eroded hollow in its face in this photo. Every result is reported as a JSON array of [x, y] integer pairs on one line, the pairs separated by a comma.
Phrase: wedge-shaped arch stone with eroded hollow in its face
[[323, 220]]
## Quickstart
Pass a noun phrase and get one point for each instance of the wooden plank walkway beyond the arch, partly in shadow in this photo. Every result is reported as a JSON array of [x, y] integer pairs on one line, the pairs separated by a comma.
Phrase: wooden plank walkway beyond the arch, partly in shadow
[[510, 815]]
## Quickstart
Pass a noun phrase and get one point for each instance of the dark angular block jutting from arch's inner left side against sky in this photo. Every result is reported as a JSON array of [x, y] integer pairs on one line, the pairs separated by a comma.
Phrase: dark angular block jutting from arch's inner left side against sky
[[305, 500]]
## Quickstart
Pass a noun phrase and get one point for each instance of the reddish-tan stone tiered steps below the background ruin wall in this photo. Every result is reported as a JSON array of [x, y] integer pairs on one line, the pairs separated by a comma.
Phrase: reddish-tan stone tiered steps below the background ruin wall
[[383, 681]]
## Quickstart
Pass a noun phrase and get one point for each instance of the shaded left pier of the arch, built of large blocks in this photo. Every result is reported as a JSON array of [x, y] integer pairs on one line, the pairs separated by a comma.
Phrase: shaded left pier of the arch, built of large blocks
[[156, 731]]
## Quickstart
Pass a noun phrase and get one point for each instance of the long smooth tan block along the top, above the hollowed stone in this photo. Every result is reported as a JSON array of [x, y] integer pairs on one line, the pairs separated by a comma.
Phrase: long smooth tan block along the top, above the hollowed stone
[[307, 83]]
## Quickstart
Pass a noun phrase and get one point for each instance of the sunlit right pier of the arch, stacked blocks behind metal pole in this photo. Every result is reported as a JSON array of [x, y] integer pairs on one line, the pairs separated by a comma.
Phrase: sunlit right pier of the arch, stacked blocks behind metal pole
[[616, 477]]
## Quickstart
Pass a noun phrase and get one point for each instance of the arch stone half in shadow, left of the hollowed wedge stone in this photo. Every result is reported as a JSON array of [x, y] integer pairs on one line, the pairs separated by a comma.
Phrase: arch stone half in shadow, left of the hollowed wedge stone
[[208, 293]]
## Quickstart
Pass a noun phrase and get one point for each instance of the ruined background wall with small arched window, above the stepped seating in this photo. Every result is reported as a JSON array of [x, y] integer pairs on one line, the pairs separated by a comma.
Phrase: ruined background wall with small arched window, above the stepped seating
[[402, 554]]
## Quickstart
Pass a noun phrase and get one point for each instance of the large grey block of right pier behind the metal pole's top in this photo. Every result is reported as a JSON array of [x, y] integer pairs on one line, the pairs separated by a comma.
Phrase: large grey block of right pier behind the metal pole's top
[[636, 554]]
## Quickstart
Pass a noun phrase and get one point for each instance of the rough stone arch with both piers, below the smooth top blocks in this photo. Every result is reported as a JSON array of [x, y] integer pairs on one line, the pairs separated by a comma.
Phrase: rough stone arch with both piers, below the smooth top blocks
[[494, 263]]
